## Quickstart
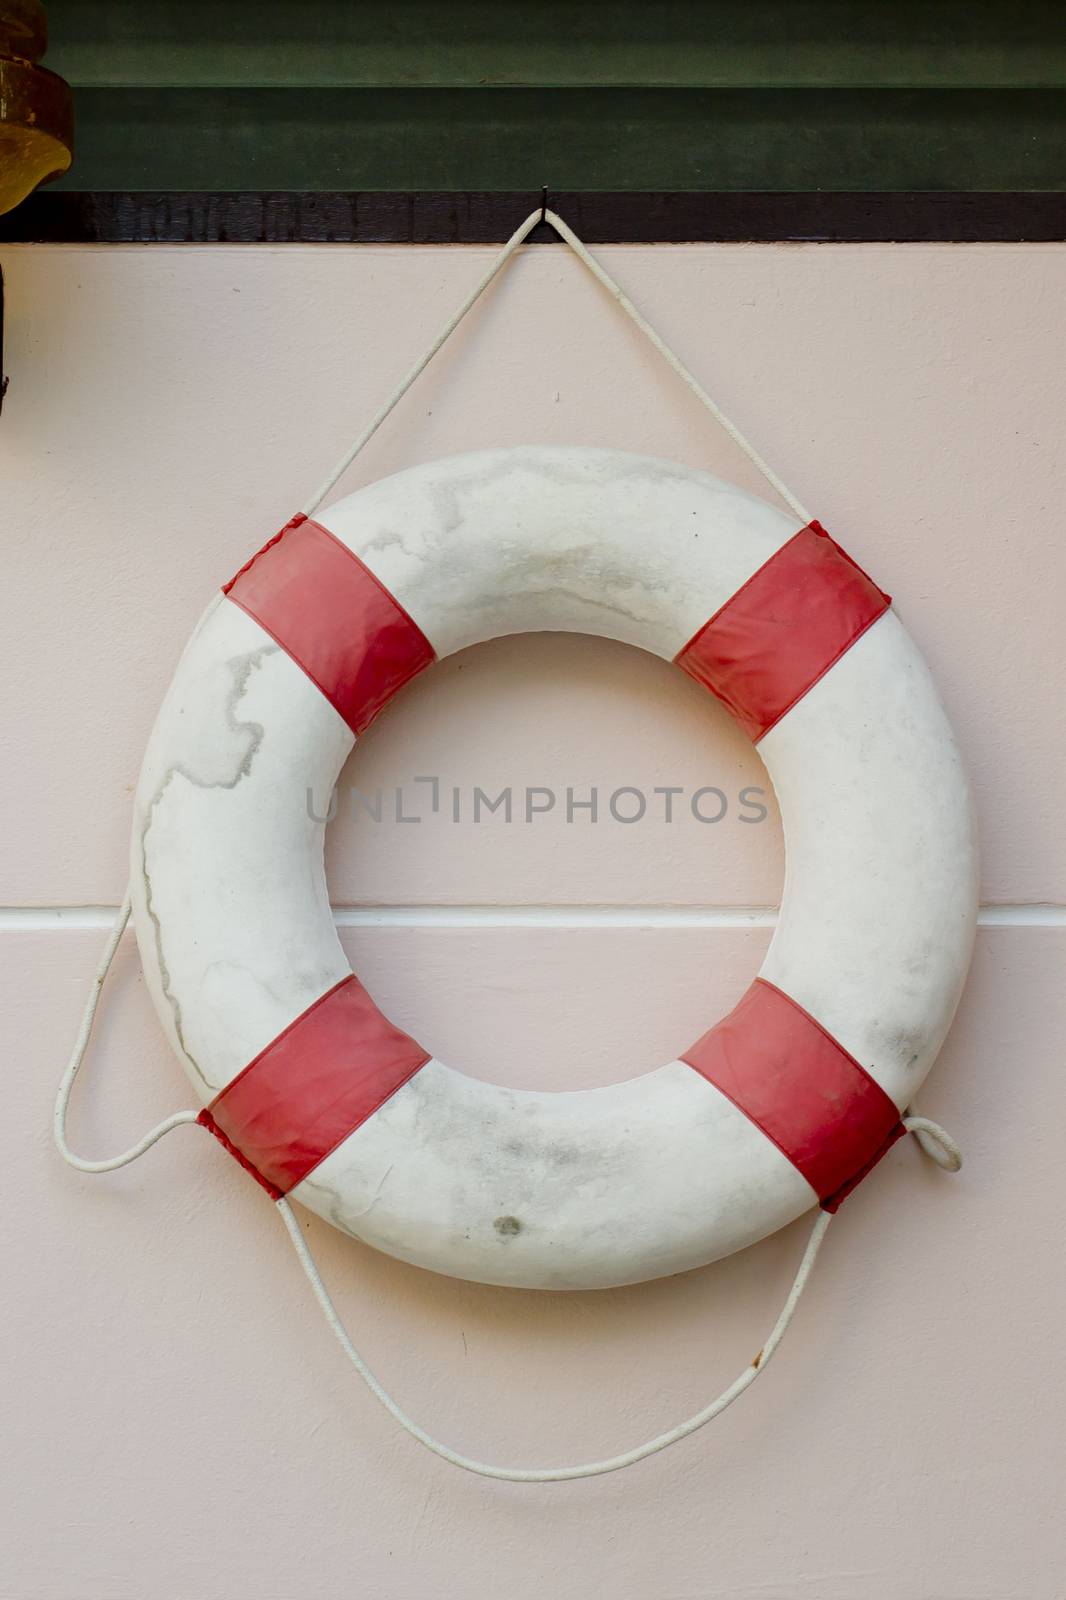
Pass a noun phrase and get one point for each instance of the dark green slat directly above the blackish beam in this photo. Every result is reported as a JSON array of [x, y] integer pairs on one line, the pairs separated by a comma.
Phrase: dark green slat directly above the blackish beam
[[623, 140]]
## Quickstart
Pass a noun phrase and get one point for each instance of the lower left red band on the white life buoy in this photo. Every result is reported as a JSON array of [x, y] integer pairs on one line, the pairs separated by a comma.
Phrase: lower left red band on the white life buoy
[[319, 1081]]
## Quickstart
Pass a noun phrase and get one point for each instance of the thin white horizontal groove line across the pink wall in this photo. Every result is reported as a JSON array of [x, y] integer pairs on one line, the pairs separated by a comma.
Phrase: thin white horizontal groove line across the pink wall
[[54, 918]]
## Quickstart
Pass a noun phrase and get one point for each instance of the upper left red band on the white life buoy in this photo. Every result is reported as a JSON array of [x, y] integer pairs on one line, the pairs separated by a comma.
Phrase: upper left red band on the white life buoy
[[329, 612]]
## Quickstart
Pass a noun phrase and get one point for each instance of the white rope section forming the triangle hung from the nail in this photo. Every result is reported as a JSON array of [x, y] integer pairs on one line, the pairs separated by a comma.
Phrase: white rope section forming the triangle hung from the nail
[[675, 362]]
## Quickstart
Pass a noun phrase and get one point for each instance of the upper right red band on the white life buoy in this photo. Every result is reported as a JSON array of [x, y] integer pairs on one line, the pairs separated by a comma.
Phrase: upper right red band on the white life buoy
[[783, 630]]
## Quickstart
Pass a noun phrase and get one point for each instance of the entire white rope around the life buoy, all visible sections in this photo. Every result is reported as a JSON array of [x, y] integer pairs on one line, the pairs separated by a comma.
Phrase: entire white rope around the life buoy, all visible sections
[[934, 1140]]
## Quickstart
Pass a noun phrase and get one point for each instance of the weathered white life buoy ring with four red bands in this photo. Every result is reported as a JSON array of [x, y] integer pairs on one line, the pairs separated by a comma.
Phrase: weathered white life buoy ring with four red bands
[[782, 1106]]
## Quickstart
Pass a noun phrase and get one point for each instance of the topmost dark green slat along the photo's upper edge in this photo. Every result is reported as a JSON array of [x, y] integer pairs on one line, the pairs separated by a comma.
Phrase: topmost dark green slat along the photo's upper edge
[[435, 44]]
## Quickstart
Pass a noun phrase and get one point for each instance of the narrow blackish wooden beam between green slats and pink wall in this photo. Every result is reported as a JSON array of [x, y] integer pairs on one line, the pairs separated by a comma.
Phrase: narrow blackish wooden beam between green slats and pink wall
[[462, 218]]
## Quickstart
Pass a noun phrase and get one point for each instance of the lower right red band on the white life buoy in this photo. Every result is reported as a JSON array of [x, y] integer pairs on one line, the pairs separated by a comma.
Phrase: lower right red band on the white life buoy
[[808, 1094]]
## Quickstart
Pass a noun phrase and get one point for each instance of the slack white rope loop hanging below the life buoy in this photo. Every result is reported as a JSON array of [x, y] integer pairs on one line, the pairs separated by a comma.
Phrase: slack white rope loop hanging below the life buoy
[[588, 1470]]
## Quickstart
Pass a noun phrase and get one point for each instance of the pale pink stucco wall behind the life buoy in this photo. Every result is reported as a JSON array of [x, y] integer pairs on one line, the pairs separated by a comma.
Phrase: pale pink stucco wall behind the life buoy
[[178, 1422]]
